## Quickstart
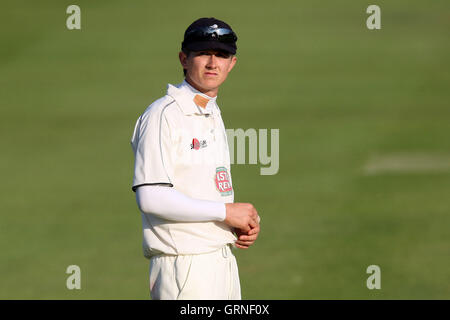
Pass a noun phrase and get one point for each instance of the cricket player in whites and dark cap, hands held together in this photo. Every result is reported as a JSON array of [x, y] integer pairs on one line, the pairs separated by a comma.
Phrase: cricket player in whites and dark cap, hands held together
[[182, 177]]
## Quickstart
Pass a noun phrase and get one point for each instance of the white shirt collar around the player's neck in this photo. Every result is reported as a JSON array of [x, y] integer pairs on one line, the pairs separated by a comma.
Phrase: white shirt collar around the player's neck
[[184, 95]]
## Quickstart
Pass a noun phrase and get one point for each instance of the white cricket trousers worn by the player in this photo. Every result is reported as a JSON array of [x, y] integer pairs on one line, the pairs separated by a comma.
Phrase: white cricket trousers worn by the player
[[207, 276]]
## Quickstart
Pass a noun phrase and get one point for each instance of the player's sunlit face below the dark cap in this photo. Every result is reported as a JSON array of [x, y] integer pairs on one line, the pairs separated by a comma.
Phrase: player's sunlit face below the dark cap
[[208, 69]]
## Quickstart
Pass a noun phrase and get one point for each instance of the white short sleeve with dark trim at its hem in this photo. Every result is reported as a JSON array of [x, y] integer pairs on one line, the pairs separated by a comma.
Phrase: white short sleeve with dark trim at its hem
[[150, 143]]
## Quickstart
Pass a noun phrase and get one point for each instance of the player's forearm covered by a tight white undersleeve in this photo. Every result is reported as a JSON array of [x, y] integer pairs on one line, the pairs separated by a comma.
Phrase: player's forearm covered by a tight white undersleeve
[[170, 204]]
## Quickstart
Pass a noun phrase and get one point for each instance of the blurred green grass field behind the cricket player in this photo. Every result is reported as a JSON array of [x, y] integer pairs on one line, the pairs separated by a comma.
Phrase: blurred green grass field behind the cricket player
[[339, 93]]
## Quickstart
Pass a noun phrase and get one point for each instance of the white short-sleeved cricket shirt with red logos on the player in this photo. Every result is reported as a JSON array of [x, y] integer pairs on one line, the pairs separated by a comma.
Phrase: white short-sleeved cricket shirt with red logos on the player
[[180, 141]]
